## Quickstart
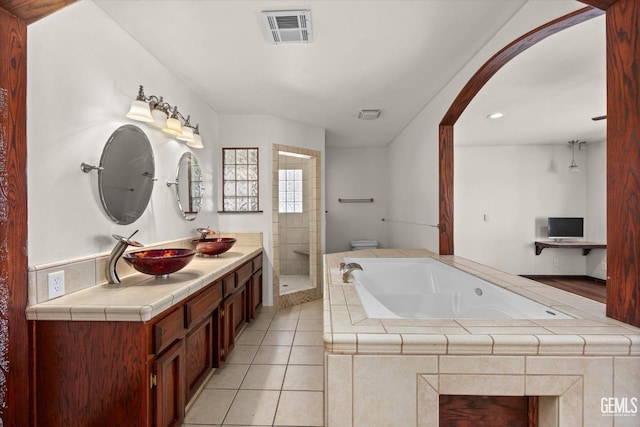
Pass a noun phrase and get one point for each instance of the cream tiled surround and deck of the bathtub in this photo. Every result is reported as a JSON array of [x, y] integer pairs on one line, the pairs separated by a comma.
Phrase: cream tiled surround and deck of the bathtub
[[571, 364]]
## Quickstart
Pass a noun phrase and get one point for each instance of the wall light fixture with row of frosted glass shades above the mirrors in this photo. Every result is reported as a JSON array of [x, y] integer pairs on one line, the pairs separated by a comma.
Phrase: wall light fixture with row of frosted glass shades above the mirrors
[[154, 110]]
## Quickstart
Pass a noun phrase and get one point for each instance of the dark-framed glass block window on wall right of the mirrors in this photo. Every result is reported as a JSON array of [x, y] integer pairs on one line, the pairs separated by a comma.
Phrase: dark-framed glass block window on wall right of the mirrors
[[240, 180]]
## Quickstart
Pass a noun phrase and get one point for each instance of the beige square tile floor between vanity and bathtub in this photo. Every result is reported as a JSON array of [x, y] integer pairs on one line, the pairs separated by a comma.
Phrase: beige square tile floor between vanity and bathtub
[[274, 375]]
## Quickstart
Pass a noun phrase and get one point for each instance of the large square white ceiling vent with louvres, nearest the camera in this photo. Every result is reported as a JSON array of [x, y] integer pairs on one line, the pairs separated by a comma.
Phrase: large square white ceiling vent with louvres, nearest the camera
[[288, 26]]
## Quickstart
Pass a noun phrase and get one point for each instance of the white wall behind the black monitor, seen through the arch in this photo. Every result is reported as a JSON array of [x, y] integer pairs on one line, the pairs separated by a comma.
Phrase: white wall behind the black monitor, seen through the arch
[[517, 187]]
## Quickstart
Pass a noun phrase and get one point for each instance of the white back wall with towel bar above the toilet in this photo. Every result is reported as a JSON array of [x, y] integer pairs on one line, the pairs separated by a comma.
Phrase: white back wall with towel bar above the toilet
[[357, 173]]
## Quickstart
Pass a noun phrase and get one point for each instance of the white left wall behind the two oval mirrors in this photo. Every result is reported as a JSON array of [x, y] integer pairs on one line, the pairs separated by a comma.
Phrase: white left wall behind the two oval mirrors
[[83, 73]]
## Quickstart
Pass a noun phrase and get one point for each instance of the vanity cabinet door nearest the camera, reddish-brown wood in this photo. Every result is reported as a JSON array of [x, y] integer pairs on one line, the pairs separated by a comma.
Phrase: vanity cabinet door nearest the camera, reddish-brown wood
[[169, 402]]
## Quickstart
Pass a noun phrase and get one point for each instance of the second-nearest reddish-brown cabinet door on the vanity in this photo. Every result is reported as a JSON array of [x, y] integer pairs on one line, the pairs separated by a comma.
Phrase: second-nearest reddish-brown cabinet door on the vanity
[[199, 352]]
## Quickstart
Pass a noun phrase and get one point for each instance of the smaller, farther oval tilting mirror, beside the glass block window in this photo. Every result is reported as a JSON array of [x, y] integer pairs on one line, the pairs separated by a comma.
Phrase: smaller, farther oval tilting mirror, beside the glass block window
[[189, 188]]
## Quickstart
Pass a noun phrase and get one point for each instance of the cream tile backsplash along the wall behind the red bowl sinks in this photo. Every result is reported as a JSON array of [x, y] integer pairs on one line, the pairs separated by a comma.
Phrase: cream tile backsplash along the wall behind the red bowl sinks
[[87, 272]]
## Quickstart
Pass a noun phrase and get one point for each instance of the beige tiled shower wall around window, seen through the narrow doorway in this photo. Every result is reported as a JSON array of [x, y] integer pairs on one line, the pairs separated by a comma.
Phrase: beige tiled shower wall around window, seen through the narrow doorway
[[294, 227]]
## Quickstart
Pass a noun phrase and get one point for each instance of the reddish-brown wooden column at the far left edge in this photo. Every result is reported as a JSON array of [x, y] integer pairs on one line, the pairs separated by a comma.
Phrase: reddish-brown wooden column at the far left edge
[[14, 336]]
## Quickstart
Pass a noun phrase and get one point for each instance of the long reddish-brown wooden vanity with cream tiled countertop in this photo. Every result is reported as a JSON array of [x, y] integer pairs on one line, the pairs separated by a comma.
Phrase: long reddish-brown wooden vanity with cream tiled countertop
[[136, 353]]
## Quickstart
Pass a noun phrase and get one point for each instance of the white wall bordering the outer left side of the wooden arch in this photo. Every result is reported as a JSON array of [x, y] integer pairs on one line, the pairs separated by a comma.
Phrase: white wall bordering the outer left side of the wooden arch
[[414, 152]]
